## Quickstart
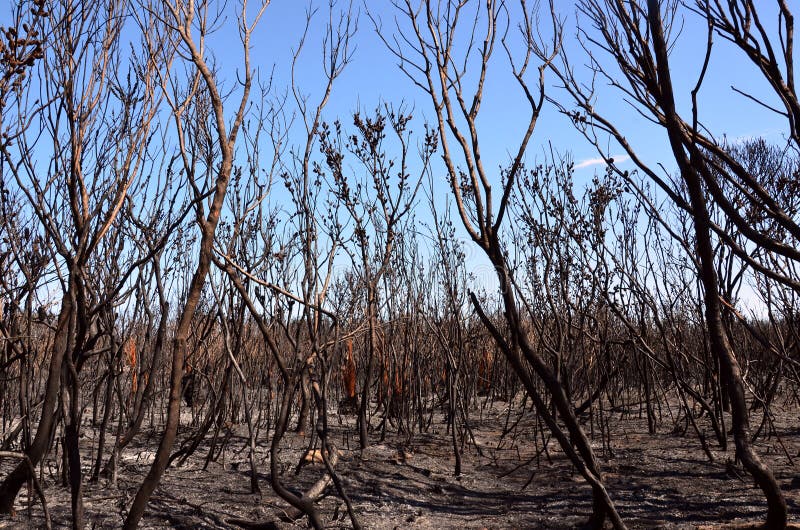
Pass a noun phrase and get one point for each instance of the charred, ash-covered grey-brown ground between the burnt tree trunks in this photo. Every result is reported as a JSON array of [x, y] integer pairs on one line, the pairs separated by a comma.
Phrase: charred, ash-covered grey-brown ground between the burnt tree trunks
[[663, 480]]
